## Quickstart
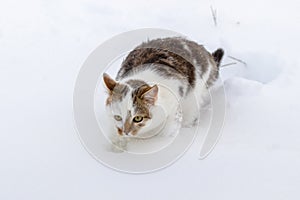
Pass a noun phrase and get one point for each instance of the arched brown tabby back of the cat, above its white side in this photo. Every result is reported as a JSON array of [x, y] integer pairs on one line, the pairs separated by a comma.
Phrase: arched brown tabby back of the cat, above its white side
[[174, 57]]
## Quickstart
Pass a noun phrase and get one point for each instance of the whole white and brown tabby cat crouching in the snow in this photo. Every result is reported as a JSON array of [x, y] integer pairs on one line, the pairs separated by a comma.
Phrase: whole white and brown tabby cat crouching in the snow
[[158, 83]]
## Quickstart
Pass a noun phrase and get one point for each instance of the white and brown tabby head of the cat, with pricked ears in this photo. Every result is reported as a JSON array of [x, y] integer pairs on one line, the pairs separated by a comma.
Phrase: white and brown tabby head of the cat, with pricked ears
[[130, 104]]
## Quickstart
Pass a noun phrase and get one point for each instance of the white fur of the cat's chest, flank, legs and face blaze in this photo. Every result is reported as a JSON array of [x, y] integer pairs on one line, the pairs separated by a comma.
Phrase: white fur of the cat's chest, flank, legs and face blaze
[[171, 111]]
